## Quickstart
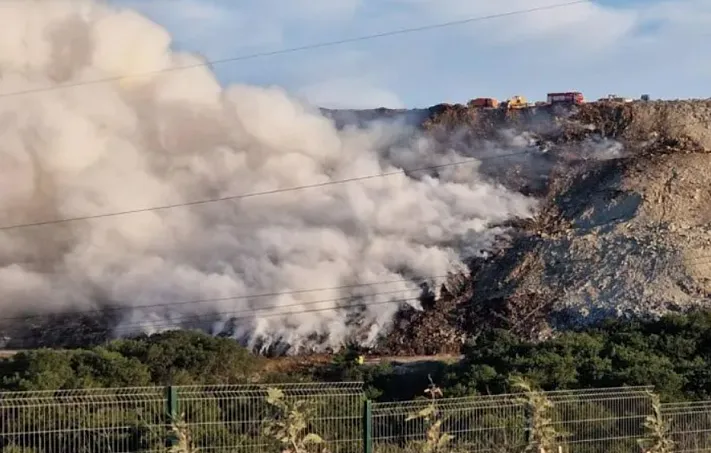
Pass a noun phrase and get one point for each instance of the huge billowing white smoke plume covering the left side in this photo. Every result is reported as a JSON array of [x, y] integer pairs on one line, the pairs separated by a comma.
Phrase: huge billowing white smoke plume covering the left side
[[175, 137]]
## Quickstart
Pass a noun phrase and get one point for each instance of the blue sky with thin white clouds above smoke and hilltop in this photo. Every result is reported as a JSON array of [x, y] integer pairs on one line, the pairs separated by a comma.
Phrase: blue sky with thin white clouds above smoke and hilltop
[[627, 47]]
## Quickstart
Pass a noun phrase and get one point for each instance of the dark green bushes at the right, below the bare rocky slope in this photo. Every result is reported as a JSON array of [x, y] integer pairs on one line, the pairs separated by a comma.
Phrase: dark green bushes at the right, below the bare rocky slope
[[673, 354]]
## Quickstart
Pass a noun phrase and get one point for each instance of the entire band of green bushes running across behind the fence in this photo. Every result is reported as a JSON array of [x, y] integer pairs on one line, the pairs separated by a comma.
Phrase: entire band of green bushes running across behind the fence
[[672, 353]]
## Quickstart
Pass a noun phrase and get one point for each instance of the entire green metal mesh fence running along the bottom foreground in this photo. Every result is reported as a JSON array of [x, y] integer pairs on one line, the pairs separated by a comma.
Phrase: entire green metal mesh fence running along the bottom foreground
[[236, 419]]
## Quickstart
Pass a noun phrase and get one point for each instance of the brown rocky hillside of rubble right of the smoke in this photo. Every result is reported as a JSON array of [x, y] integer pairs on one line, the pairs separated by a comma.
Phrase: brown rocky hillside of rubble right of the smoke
[[624, 227]]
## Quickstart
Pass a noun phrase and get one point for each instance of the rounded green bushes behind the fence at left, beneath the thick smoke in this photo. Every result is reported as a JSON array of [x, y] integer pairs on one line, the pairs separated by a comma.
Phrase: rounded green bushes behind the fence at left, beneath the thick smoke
[[177, 357]]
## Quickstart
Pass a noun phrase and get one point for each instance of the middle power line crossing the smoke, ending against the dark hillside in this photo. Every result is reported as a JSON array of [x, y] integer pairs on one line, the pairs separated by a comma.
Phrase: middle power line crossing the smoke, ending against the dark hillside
[[254, 194]]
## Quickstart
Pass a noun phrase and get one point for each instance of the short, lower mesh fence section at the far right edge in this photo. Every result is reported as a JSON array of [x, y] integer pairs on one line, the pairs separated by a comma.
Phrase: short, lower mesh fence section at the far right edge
[[689, 425]]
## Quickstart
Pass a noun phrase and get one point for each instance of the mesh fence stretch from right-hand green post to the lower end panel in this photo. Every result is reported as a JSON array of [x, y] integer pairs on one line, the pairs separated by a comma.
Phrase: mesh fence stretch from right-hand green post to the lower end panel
[[587, 421]]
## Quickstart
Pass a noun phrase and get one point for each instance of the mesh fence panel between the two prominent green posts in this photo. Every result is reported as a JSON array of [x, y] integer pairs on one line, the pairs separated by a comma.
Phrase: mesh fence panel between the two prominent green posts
[[233, 419]]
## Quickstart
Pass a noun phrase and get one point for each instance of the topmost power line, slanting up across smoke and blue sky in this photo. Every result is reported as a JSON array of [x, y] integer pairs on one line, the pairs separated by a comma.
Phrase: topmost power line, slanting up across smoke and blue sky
[[300, 48]]
